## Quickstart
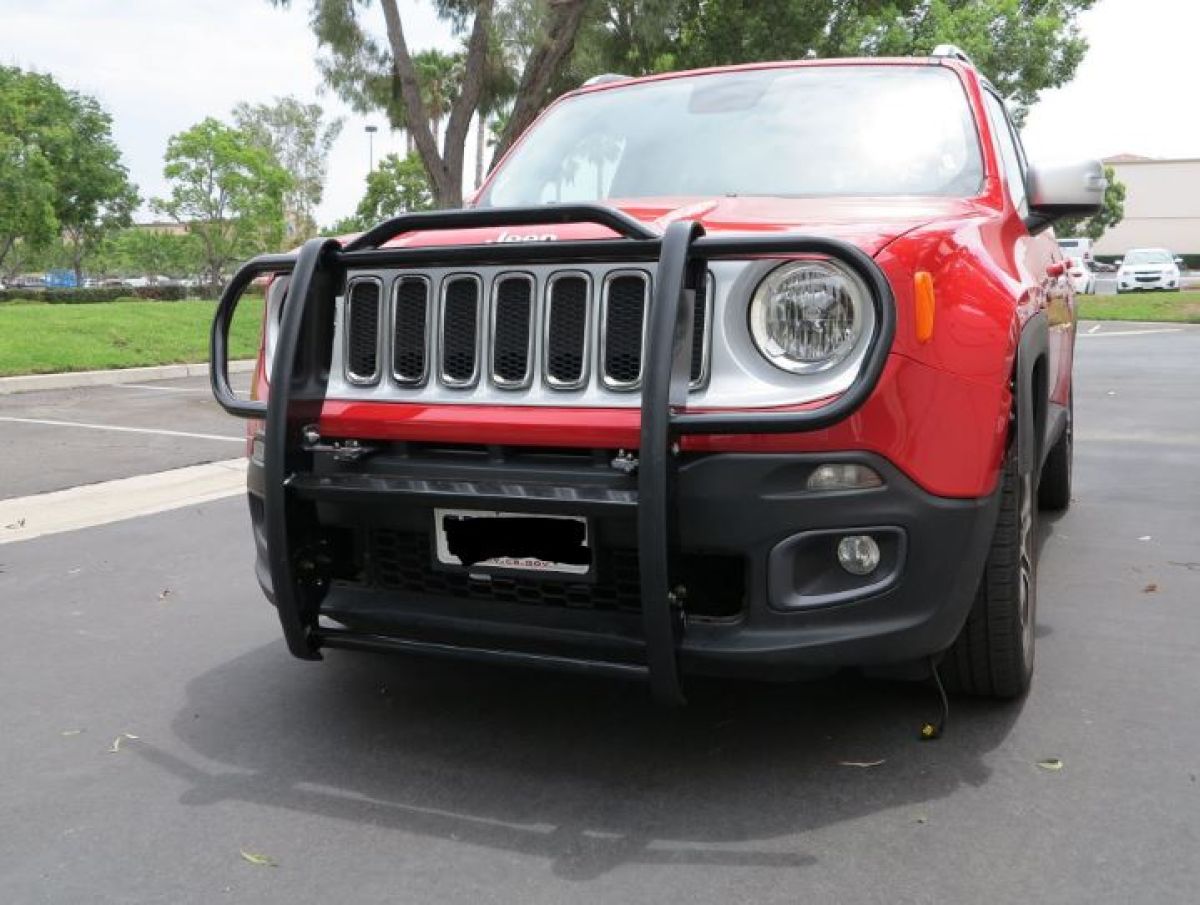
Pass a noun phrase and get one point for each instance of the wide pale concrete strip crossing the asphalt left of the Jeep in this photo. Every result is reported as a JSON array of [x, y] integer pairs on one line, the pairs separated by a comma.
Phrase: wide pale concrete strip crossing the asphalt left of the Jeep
[[94, 505]]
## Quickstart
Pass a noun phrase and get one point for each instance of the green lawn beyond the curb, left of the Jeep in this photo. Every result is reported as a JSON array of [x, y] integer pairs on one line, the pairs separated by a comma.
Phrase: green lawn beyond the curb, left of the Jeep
[[46, 339]]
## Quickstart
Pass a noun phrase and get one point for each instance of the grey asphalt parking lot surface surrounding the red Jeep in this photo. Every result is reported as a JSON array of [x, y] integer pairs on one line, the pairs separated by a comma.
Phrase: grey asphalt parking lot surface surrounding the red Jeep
[[160, 746]]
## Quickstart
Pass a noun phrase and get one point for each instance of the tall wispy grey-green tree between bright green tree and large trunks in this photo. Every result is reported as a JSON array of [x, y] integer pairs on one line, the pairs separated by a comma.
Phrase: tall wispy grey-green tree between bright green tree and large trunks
[[299, 139]]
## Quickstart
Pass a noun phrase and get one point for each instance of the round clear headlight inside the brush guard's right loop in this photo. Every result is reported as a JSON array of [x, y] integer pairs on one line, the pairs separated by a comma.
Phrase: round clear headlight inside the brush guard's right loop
[[809, 316]]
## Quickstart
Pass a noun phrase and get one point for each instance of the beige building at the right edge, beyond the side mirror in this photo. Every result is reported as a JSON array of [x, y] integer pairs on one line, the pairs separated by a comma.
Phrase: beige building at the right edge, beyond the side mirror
[[1162, 207]]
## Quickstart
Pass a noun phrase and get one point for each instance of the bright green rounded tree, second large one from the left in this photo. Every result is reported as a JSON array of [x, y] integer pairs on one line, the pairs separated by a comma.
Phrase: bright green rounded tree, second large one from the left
[[227, 190]]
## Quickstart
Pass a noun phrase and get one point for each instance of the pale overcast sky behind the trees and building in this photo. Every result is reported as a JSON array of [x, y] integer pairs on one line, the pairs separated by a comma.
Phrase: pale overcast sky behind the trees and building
[[160, 67]]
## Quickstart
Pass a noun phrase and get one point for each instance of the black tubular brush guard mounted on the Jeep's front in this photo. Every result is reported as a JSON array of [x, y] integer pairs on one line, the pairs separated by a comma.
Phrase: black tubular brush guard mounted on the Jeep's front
[[681, 254]]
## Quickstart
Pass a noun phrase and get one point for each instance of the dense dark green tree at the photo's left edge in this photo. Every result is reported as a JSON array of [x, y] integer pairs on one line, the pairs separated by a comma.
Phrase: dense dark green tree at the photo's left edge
[[61, 171]]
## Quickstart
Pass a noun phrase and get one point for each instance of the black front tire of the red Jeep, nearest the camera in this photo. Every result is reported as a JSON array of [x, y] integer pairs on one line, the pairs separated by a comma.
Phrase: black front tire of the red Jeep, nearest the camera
[[993, 656]]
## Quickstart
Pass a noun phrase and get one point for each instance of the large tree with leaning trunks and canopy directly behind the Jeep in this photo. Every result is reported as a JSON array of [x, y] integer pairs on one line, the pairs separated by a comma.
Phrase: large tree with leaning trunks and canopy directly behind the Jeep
[[1024, 46]]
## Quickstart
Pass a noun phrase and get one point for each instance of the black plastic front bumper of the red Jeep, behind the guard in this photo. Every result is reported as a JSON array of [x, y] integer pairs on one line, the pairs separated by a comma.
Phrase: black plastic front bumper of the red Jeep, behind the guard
[[772, 604]]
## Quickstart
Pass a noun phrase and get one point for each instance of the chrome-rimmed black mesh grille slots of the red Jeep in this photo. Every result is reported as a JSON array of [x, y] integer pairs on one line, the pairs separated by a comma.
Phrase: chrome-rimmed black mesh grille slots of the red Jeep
[[466, 333]]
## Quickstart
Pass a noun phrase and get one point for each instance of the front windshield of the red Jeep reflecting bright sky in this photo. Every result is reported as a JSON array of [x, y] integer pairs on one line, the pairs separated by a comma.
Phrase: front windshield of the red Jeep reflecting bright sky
[[795, 133]]
